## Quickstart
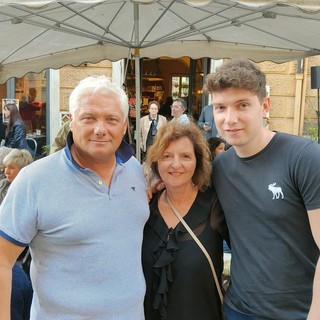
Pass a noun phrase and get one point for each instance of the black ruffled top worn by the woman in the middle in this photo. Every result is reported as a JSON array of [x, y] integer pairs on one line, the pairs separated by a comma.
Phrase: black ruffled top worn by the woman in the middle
[[180, 284]]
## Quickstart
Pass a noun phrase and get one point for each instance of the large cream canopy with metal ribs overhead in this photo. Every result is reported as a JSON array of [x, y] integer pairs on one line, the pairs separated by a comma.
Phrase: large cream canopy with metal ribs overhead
[[38, 34]]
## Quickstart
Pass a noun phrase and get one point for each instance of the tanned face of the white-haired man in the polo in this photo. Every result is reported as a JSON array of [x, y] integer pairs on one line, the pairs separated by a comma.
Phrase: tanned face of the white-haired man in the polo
[[98, 127]]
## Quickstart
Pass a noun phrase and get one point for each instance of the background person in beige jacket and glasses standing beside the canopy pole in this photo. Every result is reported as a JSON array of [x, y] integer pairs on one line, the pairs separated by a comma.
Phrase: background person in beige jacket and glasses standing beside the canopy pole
[[149, 125]]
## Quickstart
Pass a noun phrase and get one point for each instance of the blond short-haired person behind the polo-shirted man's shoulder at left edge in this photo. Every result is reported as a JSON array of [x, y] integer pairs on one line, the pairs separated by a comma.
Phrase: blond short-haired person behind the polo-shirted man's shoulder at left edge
[[13, 163]]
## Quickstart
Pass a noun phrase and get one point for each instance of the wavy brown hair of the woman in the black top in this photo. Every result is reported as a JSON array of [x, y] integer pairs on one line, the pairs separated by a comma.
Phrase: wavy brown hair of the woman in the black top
[[174, 131]]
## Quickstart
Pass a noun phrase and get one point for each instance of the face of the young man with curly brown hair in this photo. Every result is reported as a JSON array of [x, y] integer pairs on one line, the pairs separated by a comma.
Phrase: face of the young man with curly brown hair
[[238, 115]]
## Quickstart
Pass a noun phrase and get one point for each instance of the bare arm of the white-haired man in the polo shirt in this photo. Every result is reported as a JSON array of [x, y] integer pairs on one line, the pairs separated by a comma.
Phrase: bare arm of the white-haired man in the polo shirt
[[9, 253]]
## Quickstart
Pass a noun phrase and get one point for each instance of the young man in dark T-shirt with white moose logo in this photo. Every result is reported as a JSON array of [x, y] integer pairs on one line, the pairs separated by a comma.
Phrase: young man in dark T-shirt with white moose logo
[[268, 186]]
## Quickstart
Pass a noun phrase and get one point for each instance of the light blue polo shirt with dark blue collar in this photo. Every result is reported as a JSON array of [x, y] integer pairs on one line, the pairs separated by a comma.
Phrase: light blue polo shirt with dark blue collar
[[85, 238]]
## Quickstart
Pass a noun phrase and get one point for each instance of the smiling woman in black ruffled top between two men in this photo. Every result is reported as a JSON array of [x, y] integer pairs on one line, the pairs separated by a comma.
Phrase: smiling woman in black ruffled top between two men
[[180, 284]]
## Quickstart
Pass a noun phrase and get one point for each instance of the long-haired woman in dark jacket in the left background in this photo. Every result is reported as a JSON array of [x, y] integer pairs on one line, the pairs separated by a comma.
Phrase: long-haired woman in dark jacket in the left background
[[15, 131]]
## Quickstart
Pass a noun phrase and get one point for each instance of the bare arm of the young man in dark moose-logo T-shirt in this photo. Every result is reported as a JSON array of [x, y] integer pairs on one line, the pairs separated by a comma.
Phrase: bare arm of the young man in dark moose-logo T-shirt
[[314, 219]]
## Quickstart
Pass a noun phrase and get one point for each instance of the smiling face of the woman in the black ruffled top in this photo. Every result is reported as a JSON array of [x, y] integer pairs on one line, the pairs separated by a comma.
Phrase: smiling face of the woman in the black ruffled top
[[177, 165]]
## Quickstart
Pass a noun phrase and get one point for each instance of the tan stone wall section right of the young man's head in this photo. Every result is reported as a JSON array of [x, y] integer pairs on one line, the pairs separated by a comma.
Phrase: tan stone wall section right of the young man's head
[[293, 102]]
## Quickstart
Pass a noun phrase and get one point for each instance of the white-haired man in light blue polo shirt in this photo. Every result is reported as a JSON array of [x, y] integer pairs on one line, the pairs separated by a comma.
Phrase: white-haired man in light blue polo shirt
[[81, 211]]
